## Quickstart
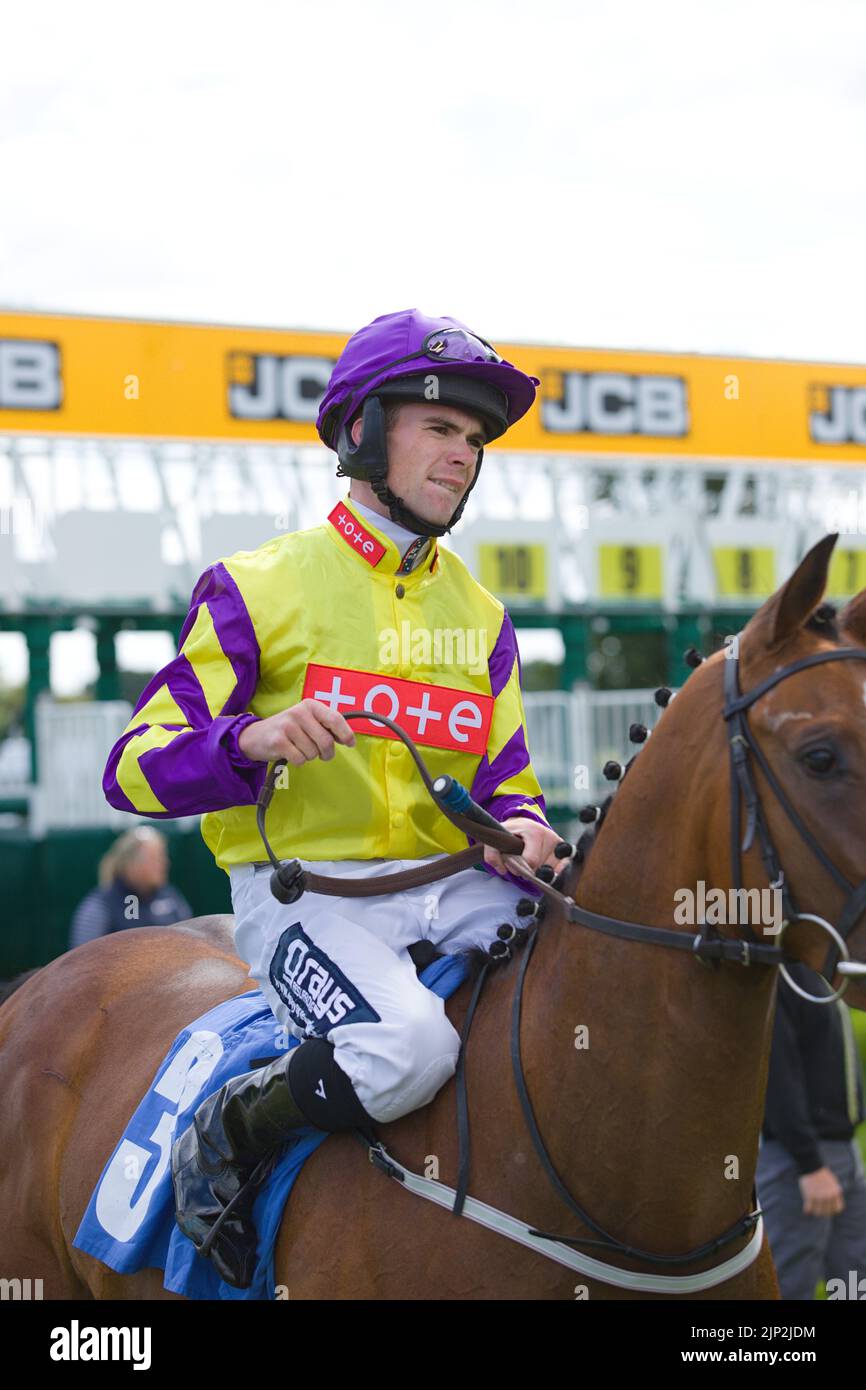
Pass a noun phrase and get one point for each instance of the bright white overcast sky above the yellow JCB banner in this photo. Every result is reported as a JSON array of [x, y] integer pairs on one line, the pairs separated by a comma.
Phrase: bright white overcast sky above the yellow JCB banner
[[637, 174]]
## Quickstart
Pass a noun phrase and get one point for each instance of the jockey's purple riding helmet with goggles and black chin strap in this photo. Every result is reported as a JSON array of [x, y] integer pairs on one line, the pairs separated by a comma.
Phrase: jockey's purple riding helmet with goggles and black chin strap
[[409, 357]]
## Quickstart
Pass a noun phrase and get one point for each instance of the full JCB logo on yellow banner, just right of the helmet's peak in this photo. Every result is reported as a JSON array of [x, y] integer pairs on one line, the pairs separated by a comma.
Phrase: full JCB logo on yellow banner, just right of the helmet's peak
[[614, 404]]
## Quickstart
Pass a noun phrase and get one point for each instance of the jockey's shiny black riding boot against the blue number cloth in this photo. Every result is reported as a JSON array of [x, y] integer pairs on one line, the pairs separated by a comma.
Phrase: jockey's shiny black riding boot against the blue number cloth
[[240, 1127]]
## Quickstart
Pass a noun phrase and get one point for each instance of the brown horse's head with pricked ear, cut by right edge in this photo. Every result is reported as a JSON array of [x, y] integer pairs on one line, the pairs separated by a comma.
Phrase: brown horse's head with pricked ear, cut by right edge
[[810, 726]]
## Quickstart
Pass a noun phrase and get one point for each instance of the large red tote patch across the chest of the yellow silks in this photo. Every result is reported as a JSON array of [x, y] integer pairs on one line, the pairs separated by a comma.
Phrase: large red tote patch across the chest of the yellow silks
[[436, 715]]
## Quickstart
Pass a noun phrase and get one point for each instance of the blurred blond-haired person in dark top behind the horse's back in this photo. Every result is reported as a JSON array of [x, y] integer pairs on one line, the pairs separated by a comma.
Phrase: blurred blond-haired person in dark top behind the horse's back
[[134, 890]]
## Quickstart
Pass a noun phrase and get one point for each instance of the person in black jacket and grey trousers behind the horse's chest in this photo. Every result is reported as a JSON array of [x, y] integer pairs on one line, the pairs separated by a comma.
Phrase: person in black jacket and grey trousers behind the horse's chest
[[811, 1182]]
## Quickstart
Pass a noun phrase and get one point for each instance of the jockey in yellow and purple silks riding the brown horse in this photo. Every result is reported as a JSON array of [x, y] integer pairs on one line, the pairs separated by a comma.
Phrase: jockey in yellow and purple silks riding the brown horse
[[365, 611]]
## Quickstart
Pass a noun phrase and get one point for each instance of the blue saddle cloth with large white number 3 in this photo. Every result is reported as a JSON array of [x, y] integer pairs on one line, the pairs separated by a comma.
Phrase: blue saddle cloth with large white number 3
[[130, 1220]]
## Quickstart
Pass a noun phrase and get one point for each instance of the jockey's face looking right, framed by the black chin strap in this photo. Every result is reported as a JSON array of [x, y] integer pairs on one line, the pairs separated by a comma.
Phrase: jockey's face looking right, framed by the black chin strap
[[433, 455]]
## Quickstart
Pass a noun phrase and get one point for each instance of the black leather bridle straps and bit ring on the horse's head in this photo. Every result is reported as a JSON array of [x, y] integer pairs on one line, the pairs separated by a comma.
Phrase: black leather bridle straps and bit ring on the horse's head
[[744, 793]]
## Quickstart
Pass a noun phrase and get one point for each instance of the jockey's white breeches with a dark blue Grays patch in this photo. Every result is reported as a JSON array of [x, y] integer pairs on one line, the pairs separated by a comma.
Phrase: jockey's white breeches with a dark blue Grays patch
[[340, 970]]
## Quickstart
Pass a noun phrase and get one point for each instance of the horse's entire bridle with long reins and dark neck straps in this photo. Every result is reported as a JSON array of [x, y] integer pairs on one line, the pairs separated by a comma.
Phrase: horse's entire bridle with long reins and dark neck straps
[[708, 947]]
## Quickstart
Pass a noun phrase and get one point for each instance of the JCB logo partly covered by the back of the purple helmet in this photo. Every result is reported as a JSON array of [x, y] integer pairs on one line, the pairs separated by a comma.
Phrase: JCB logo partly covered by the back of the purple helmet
[[266, 387]]
